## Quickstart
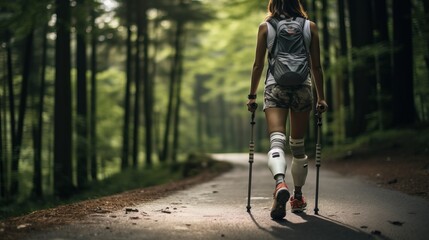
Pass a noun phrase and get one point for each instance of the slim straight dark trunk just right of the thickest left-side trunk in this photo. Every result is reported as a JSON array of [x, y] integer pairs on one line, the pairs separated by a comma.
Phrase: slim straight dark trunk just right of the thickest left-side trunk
[[81, 97]]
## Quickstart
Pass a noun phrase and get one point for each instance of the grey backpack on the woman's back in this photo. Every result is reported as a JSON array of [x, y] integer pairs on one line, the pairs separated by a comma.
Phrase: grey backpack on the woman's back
[[289, 60]]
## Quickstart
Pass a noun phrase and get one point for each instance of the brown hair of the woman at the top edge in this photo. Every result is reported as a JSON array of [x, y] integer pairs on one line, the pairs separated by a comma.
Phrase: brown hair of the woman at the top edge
[[292, 8]]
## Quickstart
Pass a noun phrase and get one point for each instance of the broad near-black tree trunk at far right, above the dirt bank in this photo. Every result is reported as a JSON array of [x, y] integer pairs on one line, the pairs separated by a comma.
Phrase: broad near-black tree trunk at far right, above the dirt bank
[[404, 112]]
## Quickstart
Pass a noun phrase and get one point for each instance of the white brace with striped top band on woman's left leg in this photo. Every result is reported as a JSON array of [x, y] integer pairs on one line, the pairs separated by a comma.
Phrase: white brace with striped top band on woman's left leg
[[276, 155]]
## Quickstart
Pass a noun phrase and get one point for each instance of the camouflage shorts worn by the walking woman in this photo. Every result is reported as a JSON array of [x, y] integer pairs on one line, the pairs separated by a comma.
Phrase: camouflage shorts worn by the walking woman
[[298, 99]]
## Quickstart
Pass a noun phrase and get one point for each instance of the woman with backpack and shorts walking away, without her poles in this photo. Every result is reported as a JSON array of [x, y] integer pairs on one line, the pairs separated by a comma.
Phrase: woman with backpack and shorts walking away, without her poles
[[292, 43]]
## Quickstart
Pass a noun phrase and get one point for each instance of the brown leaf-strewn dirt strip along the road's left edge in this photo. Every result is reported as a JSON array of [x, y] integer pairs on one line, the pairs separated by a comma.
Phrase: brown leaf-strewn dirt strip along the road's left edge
[[17, 227]]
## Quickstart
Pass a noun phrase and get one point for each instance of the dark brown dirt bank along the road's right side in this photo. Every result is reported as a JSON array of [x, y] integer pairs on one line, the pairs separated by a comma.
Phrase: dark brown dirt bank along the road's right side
[[394, 169]]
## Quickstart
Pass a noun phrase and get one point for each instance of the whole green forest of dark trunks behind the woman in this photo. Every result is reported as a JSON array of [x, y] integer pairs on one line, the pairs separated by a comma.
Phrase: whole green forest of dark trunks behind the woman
[[90, 88]]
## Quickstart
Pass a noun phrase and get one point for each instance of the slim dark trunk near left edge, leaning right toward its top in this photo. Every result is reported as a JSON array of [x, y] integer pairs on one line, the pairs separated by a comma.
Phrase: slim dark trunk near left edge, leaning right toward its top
[[26, 74]]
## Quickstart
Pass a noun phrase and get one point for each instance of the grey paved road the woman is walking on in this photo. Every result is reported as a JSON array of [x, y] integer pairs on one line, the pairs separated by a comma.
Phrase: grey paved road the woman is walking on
[[349, 208]]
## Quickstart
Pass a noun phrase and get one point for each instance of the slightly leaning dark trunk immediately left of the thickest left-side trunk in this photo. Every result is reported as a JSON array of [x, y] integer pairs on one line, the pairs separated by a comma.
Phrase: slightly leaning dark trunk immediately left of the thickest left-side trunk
[[38, 125]]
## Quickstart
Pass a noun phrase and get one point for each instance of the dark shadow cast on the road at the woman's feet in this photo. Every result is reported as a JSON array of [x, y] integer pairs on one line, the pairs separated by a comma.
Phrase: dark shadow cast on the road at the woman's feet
[[313, 227]]
